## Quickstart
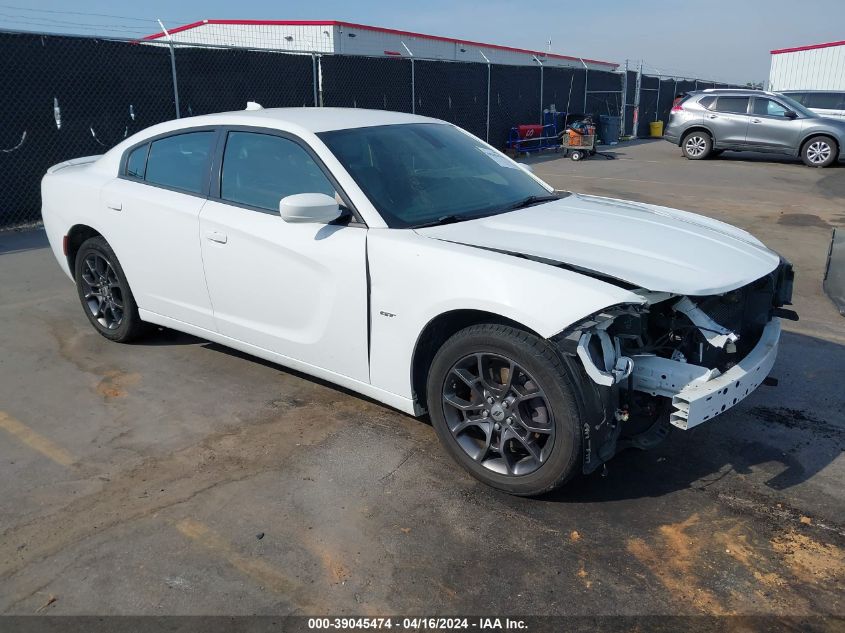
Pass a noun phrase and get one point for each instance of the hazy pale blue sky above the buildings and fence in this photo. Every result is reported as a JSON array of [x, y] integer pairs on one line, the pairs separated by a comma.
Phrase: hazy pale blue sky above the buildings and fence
[[722, 40]]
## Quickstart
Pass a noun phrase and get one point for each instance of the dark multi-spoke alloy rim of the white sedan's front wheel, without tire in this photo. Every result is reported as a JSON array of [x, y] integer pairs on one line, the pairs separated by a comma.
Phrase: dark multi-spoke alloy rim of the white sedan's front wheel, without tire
[[498, 414]]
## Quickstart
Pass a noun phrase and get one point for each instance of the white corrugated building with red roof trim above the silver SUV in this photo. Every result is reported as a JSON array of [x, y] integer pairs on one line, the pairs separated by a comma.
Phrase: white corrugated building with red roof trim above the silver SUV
[[814, 67]]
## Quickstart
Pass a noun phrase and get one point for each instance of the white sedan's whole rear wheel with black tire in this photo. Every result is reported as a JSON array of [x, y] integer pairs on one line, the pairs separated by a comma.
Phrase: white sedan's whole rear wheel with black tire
[[104, 292]]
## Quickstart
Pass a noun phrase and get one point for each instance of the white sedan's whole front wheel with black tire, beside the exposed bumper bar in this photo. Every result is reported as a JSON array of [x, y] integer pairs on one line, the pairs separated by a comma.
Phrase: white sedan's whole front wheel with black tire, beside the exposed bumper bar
[[532, 463]]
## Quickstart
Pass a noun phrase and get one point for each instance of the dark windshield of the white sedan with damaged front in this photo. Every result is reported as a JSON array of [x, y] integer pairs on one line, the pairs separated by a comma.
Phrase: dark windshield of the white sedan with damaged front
[[420, 174]]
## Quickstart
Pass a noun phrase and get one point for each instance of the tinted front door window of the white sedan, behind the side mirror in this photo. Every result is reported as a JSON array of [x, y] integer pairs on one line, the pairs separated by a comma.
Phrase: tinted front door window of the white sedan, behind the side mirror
[[261, 169]]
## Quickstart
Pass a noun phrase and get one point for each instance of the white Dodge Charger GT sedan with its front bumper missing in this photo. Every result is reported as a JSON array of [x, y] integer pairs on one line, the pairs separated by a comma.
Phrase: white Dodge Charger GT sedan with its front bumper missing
[[405, 259]]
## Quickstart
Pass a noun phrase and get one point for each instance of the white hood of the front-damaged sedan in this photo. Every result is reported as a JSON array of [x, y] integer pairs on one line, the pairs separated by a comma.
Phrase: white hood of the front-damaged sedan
[[655, 248]]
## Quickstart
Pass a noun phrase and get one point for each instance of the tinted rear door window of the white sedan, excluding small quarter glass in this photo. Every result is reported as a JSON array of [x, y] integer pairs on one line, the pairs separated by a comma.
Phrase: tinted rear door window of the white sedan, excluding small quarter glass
[[180, 161]]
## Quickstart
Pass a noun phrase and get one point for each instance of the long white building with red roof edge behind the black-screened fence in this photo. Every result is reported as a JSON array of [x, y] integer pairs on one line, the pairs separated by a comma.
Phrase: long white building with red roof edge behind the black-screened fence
[[307, 36]]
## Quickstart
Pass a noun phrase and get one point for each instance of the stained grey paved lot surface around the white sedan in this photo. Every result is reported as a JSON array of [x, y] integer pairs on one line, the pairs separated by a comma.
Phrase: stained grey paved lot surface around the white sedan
[[138, 479]]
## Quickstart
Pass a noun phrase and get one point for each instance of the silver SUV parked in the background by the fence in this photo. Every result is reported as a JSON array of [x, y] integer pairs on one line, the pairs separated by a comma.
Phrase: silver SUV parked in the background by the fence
[[708, 122]]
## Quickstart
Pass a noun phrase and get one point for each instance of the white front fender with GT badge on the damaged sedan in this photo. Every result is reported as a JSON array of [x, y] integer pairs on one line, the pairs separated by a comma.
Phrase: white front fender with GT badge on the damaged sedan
[[414, 279]]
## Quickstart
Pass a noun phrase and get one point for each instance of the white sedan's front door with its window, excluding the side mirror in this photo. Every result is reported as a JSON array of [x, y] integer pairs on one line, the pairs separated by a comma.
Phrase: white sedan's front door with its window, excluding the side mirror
[[295, 289]]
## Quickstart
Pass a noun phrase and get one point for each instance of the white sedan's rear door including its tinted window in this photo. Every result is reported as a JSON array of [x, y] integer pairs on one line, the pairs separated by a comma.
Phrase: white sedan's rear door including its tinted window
[[156, 202]]
